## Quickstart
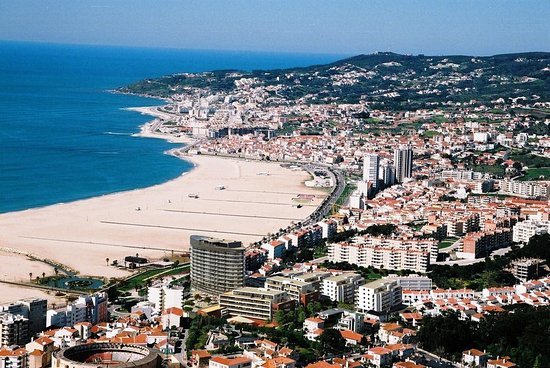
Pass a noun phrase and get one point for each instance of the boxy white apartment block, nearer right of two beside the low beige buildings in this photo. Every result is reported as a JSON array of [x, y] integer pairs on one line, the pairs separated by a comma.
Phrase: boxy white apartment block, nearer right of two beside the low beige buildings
[[379, 296]]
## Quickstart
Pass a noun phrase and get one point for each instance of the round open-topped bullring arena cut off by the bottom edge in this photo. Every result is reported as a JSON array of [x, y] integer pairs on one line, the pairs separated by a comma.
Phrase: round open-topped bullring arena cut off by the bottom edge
[[106, 355]]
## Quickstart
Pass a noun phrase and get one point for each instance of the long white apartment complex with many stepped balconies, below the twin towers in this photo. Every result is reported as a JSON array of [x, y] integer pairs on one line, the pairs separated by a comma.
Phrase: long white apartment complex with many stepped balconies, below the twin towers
[[390, 254]]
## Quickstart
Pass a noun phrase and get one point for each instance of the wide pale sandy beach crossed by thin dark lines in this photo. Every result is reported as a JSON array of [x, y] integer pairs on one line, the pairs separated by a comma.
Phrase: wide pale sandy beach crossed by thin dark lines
[[155, 221]]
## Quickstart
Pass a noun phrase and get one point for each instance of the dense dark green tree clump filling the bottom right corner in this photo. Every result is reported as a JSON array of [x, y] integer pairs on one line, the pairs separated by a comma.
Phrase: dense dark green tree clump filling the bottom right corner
[[523, 334]]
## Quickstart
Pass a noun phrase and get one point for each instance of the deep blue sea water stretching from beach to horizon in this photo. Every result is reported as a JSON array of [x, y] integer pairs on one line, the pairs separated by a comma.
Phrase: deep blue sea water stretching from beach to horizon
[[64, 137]]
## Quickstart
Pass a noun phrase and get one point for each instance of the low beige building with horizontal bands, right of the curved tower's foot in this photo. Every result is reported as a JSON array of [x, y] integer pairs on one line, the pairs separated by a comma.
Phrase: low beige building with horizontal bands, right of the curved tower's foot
[[256, 303]]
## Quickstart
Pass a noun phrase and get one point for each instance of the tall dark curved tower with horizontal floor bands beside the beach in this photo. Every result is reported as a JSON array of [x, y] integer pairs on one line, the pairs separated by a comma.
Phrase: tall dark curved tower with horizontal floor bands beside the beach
[[217, 265]]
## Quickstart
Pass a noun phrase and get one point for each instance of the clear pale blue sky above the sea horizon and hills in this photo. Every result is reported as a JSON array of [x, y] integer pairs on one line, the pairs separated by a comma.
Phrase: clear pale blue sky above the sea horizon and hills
[[477, 27]]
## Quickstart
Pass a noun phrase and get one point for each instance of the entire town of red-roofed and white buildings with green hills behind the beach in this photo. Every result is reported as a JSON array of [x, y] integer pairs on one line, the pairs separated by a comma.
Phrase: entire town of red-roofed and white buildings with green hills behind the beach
[[427, 243]]
